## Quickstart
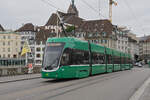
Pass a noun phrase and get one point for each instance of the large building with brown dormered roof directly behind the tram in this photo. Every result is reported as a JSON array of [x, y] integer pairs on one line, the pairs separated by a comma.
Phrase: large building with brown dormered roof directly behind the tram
[[99, 32]]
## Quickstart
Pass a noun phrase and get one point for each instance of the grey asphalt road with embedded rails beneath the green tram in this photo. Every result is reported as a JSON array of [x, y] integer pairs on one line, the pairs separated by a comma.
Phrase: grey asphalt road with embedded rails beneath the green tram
[[112, 86]]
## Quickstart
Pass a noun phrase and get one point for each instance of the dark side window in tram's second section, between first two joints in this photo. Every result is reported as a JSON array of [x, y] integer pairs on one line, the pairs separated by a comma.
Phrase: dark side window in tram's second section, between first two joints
[[98, 58]]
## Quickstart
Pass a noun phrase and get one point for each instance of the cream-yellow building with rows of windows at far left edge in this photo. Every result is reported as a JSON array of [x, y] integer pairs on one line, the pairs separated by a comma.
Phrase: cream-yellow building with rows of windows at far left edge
[[10, 43]]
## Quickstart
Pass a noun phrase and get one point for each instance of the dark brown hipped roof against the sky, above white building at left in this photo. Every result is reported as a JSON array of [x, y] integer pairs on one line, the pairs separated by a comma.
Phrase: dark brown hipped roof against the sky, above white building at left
[[26, 27]]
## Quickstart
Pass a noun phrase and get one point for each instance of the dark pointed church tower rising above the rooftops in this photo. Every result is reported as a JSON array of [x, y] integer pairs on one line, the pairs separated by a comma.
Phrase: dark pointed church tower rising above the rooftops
[[72, 9]]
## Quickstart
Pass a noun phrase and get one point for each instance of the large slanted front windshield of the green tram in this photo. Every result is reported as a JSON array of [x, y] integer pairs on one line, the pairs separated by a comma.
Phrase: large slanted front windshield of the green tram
[[52, 55]]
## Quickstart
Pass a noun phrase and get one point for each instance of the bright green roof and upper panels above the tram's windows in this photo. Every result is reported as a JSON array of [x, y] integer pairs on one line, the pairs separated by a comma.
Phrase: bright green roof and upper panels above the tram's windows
[[83, 45]]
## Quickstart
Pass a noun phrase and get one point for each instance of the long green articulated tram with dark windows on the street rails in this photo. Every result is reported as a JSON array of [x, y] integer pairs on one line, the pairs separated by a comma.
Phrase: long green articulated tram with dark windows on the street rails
[[72, 58]]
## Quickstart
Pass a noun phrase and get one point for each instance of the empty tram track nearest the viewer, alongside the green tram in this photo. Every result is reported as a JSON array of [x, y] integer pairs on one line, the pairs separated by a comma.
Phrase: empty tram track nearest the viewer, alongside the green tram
[[77, 85]]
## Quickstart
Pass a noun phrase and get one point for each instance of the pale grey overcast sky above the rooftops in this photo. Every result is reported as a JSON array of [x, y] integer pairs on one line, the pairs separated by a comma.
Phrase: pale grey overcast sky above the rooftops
[[131, 13]]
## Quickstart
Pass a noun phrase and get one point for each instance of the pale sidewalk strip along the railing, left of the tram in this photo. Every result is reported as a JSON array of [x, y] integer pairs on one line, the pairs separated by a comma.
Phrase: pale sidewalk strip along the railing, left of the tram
[[7, 79]]
